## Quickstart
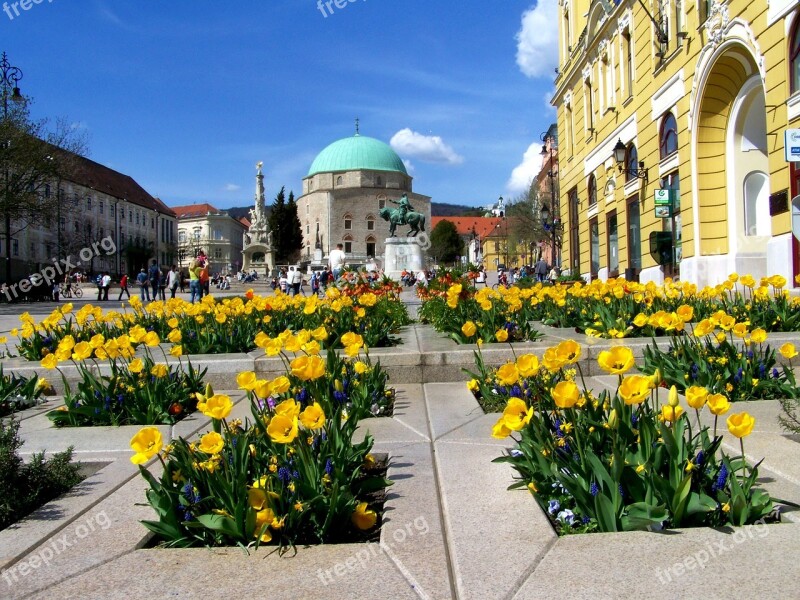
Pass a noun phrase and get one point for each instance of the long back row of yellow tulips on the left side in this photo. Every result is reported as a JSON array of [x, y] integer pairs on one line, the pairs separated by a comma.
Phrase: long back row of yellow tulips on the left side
[[226, 326]]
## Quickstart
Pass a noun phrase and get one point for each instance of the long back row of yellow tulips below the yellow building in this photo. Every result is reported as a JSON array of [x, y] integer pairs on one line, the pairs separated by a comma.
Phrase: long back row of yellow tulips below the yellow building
[[613, 309]]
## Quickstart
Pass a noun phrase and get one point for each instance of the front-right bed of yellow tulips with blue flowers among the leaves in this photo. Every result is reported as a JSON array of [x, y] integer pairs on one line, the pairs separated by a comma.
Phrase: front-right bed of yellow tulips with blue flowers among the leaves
[[618, 461]]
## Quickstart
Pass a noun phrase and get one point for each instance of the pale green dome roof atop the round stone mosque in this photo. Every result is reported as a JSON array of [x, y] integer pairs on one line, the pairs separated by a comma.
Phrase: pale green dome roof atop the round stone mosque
[[357, 153]]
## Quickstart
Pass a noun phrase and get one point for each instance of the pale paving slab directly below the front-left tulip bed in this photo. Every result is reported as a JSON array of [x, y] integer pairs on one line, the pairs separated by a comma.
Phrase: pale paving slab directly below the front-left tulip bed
[[199, 573]]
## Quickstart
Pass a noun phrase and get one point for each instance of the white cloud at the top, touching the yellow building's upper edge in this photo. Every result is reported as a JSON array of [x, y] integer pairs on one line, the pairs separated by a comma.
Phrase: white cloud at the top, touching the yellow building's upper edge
[[537, 40]]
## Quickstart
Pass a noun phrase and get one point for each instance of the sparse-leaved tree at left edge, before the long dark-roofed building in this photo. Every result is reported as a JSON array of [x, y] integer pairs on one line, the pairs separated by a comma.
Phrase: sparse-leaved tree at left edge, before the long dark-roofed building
[[34, 156]]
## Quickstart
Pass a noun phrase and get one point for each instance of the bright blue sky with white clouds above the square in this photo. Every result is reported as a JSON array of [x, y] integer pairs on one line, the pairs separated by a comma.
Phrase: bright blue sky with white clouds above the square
[[187, 96]]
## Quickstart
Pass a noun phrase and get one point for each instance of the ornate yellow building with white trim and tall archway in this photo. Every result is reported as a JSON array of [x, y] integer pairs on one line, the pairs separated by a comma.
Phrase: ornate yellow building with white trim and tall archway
[[696, 99]]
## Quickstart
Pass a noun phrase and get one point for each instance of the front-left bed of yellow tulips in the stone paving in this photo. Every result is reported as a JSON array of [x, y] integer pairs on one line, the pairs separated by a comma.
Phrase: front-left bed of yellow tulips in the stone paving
[[291, 475]]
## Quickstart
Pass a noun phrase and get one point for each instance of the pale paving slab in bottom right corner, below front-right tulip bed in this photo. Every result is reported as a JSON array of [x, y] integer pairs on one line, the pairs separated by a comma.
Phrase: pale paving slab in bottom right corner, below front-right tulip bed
[[751, 562]]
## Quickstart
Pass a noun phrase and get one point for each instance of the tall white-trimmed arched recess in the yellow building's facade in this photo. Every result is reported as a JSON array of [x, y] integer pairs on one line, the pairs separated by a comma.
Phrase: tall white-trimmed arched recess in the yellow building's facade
[[731, 214]]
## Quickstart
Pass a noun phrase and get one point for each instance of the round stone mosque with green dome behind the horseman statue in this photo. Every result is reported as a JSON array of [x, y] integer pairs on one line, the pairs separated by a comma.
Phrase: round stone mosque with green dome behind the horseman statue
[[347, 185]]
